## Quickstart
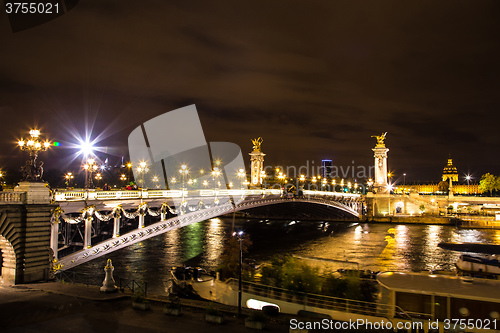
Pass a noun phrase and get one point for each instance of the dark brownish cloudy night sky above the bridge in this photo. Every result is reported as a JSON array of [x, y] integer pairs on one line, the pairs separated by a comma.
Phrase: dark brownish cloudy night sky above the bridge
[[315, 79]]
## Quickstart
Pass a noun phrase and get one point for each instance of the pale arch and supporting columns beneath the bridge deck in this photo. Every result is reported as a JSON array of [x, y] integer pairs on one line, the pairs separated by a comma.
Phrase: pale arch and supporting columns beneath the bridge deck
[[347, 206]]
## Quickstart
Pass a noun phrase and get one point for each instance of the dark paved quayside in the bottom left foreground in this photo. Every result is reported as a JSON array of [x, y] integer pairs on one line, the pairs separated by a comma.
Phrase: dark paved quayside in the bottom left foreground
[[55, 307]]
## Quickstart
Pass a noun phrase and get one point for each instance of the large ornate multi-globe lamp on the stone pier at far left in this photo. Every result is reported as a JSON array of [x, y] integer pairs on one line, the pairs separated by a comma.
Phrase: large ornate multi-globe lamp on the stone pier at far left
[[33, 170]]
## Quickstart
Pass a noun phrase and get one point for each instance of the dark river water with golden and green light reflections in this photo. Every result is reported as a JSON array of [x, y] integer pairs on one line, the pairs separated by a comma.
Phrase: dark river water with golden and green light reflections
[[375, 246]]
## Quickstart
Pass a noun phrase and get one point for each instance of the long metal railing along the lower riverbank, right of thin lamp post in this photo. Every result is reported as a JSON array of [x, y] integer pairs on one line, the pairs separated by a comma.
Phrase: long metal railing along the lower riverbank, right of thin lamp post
[[324, 302]]
